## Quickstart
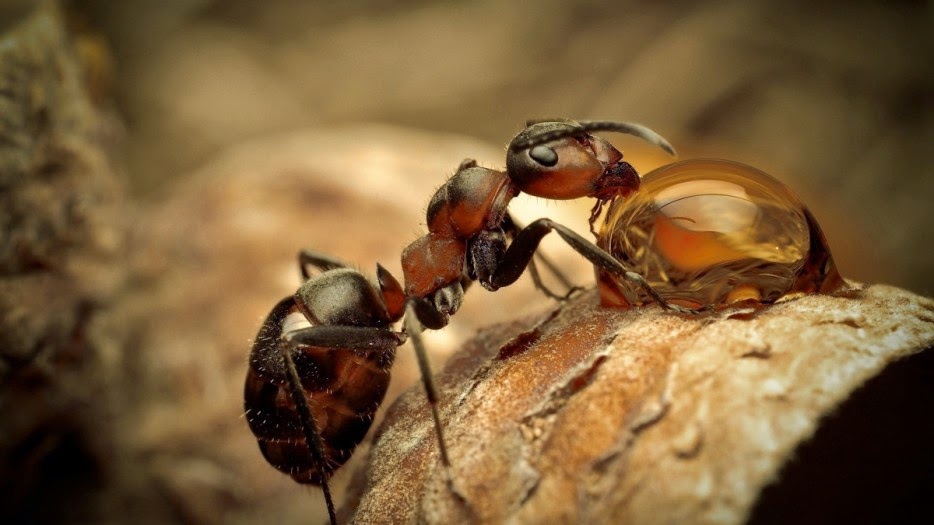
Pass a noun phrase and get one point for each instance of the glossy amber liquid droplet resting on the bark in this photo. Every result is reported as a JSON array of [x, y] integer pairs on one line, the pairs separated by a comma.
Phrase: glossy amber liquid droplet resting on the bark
[[711, 232]]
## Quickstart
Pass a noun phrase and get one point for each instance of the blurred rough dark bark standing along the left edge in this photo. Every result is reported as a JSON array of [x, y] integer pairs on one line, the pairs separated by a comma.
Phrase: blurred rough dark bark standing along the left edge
[[60, 242]]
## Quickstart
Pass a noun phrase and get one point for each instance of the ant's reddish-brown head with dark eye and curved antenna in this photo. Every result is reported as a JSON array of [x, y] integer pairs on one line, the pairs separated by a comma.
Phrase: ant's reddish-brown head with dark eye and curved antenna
[[560, 159]]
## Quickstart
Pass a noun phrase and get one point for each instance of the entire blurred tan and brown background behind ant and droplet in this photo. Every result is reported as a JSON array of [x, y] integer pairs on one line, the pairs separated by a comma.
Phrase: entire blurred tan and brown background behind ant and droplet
[[251, 129]]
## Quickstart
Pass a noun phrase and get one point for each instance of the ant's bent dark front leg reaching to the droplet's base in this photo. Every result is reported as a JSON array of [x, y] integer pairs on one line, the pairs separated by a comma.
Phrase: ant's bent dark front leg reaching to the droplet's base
[[520, 252]]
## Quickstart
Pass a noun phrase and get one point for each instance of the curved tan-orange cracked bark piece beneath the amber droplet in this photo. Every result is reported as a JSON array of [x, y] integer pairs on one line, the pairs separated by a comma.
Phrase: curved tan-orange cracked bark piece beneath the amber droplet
[[593, 415]]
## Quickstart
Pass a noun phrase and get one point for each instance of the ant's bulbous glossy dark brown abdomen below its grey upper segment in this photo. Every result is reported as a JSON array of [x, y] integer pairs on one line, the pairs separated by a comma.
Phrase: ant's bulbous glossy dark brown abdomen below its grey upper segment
[[343, 387]]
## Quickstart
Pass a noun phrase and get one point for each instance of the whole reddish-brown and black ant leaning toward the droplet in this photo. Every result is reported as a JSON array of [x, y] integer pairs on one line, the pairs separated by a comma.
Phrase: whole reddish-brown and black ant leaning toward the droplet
[[311, 392]]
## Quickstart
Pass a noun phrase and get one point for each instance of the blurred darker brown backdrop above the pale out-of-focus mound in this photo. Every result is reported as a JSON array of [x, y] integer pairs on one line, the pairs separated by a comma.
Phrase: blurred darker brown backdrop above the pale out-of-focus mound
[[835, 98]]
